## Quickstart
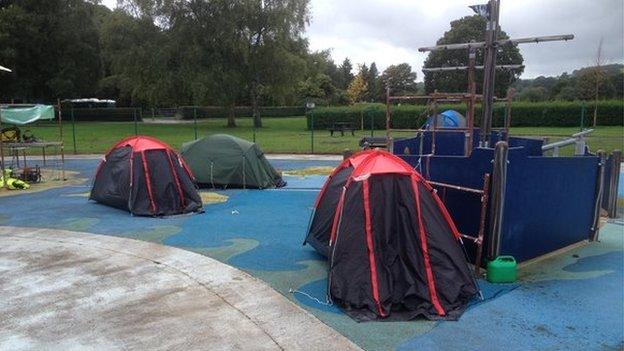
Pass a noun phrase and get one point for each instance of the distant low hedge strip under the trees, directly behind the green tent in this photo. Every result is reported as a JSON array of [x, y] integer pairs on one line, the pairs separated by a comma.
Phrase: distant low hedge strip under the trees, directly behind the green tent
[[186, 112]]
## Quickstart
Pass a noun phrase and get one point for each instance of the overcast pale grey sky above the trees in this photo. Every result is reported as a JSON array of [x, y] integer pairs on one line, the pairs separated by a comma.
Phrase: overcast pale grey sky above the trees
[[391, 31]]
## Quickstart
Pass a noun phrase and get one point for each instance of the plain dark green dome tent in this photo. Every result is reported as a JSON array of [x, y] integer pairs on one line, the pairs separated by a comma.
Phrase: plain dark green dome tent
[[222, 160]]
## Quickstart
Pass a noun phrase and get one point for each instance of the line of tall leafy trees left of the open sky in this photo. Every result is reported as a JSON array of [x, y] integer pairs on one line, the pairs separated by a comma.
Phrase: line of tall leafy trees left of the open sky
[[173, 53]]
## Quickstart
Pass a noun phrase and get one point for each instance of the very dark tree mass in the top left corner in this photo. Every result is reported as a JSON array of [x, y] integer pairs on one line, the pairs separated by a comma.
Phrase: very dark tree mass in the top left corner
[[51, 46]]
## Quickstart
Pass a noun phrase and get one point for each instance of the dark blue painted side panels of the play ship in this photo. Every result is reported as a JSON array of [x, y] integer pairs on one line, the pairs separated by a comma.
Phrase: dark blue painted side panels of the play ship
[[549, 201]]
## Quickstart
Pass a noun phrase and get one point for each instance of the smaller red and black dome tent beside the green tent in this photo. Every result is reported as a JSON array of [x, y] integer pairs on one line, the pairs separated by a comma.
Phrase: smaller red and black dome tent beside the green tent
[[146, 177]]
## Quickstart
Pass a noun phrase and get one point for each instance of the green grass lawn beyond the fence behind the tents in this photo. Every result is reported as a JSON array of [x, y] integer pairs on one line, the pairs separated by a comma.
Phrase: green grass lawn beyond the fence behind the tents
[[279, 135]]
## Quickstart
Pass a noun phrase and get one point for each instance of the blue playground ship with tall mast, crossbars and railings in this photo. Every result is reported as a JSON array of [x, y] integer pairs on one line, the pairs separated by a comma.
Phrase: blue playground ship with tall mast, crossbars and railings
[[503, 194]]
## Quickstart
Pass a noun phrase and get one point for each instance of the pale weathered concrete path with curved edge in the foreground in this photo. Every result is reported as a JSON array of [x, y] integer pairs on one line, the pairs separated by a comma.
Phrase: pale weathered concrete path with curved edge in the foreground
[[66, 290]]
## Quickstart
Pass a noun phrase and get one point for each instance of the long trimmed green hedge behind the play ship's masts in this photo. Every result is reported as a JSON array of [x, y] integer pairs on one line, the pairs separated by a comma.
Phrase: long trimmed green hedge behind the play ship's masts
[[542, 114]]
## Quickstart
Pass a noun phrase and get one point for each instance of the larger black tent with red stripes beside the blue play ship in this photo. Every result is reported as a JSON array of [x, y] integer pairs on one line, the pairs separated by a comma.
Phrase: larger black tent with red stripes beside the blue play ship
[[394, 252]]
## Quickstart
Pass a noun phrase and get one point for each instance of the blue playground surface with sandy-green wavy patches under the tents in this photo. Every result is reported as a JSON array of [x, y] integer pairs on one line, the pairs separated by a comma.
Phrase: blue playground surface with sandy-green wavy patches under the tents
[[574, 301]]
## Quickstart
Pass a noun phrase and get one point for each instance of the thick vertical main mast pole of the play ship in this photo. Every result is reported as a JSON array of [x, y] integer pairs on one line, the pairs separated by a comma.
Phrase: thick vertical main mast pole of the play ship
[[491, 36]]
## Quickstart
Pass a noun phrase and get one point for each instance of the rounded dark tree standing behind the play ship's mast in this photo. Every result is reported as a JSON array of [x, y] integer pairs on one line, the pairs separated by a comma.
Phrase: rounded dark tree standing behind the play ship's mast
[[463, 30]]
